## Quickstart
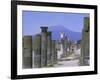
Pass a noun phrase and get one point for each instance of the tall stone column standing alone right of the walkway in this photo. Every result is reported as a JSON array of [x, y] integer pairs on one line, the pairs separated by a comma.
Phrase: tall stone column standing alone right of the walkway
[[85, 53]]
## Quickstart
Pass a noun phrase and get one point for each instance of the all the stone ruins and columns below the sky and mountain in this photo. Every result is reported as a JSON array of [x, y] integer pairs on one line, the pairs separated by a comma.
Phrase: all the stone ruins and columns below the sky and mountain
[[42, 51]]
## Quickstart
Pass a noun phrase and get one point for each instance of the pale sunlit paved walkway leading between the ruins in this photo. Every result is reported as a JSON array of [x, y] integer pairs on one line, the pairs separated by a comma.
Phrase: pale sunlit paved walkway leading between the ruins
[[72, 60]]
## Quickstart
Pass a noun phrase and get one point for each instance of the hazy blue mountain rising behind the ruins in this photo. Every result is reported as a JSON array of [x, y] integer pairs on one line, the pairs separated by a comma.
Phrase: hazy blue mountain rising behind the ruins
[[56, 30]]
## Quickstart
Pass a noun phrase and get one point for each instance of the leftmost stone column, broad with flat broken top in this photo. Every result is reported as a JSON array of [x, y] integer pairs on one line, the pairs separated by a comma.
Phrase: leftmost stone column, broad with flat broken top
[[27, 52]]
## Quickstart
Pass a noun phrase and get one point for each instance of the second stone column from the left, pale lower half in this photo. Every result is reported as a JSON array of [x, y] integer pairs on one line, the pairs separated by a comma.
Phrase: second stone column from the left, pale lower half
[[36, 52]]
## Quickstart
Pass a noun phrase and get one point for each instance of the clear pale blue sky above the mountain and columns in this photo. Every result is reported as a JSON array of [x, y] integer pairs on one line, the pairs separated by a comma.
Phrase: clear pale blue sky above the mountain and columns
[[33, 20]]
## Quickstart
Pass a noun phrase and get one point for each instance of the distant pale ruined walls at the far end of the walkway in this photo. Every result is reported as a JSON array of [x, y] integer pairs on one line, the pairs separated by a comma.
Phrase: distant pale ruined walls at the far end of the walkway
[[65, 46]]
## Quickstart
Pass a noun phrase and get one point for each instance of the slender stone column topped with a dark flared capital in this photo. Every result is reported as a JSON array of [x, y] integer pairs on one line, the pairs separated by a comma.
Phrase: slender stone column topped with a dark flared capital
[[44, 46]]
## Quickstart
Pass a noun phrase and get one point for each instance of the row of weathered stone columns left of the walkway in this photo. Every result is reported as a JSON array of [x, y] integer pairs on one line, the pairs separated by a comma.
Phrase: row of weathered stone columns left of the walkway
[[39, 50]]
